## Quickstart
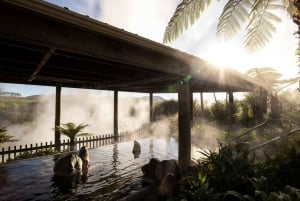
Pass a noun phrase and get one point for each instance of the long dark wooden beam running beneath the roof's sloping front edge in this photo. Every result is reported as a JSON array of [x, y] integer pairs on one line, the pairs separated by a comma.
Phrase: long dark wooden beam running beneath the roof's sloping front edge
[[44, 30]]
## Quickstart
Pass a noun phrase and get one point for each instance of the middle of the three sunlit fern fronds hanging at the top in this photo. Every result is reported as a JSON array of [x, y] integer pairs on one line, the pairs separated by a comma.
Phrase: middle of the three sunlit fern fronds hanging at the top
[[234, 13]]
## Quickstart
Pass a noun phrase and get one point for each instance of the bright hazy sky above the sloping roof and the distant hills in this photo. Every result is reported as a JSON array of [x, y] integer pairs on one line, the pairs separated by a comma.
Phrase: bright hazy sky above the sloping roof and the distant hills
[[148, 18]]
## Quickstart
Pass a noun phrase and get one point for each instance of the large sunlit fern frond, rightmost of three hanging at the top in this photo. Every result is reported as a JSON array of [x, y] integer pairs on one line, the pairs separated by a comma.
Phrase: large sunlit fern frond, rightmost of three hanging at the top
[[260, 28]]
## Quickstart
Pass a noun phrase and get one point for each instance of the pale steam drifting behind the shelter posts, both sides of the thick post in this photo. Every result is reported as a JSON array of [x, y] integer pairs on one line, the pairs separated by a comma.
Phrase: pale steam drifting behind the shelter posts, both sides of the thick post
[[95, 108]]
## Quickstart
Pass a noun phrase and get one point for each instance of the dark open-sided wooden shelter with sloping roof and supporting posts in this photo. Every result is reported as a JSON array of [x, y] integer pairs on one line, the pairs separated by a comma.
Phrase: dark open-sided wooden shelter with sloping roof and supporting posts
[[43, 44]]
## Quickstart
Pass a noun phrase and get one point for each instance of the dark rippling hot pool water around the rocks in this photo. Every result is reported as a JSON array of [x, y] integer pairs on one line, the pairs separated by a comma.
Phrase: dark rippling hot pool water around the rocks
[[114, 173]]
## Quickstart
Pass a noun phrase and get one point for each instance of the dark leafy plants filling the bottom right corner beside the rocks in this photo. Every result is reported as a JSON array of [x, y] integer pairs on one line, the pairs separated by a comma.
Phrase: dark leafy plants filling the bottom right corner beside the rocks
[[231, 173]]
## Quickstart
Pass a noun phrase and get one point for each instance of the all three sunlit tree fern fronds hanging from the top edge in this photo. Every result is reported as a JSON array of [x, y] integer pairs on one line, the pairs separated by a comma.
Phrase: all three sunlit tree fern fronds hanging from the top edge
[[258, 14]]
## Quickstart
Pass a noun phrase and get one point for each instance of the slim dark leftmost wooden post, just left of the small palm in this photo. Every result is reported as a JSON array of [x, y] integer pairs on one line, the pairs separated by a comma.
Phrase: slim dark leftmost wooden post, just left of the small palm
[[57, 115]]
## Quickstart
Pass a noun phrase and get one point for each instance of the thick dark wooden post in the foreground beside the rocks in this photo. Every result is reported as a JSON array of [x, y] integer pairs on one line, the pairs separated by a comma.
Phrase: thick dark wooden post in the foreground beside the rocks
[[184, 126]]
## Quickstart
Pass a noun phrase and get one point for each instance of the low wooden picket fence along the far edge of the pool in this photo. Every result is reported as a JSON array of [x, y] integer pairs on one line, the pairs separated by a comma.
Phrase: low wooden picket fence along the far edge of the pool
[[32, 150]]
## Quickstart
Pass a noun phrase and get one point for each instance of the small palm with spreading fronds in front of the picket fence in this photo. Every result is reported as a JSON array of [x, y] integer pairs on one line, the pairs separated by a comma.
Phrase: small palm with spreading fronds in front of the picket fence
[[72, 131]]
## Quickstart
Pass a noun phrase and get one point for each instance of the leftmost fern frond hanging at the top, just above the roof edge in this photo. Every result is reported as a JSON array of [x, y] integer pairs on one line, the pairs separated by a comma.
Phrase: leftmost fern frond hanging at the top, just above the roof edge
[[185, 15]]
